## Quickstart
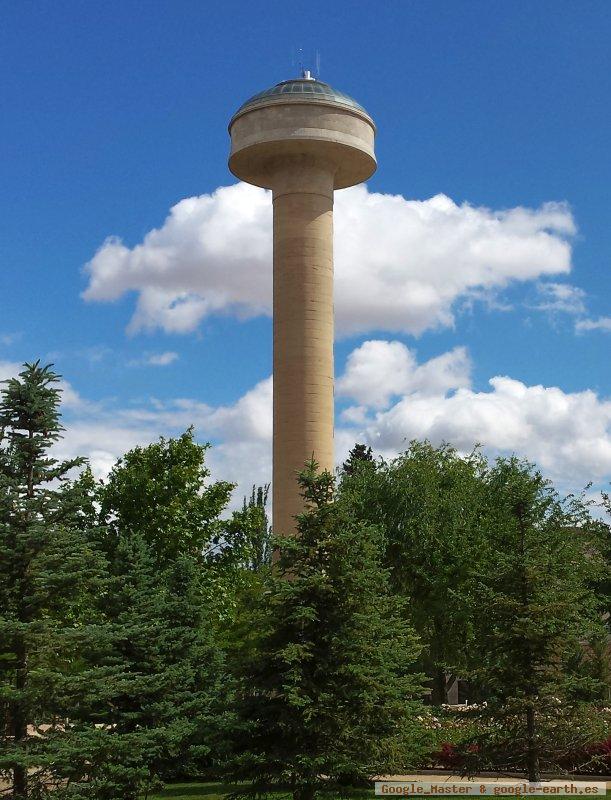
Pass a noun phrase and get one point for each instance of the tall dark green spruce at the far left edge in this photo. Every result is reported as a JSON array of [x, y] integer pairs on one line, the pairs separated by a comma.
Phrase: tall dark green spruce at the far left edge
[[49, 566]]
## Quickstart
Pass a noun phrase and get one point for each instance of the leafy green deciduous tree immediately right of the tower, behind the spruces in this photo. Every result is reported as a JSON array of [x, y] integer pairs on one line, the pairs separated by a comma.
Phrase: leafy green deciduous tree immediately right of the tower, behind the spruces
[[429, 503]]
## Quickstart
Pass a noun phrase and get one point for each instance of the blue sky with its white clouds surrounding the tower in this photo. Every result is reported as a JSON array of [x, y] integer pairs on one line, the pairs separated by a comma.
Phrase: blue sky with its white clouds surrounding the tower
[[115, 112]]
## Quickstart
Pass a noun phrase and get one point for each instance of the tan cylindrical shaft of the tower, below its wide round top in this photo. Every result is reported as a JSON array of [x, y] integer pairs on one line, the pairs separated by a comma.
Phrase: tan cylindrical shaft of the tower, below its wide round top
[[303, 329]]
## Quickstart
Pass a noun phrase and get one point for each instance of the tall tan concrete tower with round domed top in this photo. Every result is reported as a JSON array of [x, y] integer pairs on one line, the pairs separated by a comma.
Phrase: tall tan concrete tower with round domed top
[[301, 139]]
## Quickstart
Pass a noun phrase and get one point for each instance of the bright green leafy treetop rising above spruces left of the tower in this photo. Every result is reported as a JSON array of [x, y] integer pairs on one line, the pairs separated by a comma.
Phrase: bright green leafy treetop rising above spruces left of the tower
[[160, 492]]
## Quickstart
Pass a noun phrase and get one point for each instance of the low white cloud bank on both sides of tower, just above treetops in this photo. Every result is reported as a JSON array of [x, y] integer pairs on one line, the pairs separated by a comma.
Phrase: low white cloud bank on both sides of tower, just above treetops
[[568, 434]]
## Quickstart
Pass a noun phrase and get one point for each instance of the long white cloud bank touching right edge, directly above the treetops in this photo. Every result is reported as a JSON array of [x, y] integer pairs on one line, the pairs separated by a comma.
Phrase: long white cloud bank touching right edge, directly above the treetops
[[568, 434]]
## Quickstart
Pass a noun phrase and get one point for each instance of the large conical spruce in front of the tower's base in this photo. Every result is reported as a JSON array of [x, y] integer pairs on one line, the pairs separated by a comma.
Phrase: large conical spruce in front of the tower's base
[[326, 687]]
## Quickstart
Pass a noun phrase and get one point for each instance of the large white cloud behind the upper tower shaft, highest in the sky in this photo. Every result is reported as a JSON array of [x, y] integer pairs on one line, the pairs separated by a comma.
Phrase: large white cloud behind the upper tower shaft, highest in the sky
[[400, 264]]
